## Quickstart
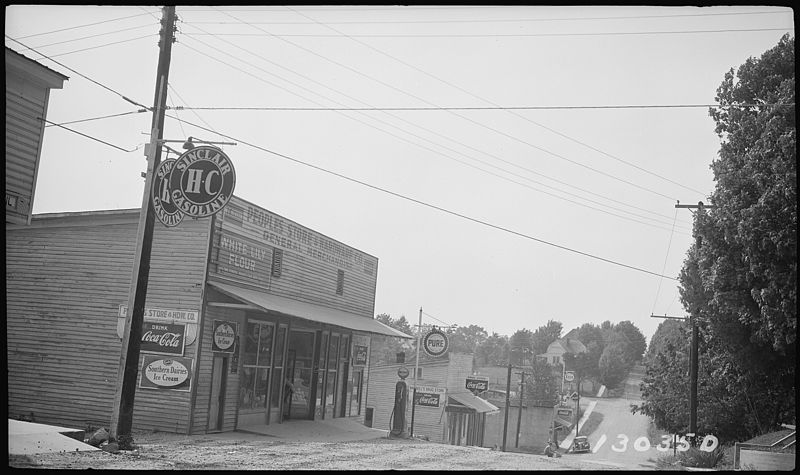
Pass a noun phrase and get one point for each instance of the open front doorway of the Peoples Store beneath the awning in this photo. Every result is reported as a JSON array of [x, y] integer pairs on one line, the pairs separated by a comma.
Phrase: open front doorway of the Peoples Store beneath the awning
[[300, 371]]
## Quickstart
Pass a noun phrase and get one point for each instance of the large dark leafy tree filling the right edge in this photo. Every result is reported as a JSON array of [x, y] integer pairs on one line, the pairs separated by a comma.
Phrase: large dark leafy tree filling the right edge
[[740, 278]]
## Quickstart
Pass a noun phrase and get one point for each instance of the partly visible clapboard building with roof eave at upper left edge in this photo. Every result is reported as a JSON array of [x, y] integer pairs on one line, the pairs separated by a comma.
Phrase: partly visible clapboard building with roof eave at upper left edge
[[28, 86]]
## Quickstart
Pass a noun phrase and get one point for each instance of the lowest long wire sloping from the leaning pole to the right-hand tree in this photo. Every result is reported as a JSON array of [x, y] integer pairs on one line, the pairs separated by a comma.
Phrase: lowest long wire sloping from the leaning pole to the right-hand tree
[[438, 208]]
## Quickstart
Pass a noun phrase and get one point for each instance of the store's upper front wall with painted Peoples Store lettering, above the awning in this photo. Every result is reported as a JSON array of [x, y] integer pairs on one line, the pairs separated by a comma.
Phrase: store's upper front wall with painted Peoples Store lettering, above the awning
[[310, 260]]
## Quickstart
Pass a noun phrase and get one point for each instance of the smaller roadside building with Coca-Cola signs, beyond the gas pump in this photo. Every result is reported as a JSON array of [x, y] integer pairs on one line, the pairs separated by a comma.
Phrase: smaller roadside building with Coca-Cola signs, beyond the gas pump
[[445, 412]]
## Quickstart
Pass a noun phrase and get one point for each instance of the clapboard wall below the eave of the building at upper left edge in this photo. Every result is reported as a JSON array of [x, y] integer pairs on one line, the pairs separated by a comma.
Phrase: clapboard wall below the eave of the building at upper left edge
[[24, 103]]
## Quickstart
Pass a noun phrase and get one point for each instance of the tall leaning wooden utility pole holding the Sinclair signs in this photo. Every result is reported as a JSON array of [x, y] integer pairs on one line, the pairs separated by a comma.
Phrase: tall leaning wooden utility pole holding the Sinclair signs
[[122, 411]]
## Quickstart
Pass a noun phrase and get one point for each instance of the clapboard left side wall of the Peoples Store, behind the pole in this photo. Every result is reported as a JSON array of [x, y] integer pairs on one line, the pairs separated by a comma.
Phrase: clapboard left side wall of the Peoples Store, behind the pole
[[64, 285]]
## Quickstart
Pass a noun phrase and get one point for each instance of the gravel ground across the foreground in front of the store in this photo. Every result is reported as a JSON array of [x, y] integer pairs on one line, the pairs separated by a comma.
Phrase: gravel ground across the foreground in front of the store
[[238, 451]]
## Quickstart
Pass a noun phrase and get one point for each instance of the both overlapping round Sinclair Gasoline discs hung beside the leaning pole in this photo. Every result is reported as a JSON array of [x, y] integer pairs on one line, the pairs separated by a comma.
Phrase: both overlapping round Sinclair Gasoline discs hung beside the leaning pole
[[198, 184]]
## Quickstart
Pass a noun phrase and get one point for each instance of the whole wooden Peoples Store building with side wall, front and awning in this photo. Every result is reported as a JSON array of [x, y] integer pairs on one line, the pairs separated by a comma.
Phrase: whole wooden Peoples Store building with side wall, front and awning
[[239, 305]]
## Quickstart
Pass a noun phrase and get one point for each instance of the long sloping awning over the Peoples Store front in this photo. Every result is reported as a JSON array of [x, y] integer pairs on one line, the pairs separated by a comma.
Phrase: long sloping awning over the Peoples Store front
[[307, 311]]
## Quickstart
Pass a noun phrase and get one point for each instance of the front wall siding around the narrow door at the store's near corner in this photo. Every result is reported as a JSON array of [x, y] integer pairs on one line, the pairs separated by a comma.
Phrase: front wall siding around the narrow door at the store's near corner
[[202, 401]]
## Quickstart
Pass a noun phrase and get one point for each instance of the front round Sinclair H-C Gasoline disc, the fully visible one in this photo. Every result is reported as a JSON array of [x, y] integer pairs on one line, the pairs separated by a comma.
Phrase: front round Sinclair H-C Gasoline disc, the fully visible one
[[202, 181]]
